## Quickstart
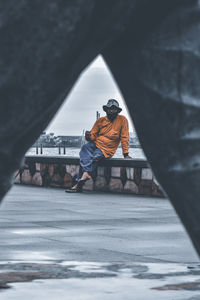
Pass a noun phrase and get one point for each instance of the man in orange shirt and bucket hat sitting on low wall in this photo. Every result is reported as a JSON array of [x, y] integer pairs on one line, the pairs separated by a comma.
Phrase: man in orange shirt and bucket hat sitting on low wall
[[103, 141]]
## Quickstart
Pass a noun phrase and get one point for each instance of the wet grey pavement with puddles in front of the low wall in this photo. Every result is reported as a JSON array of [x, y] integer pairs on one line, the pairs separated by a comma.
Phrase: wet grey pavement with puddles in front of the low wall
[[93, 246]]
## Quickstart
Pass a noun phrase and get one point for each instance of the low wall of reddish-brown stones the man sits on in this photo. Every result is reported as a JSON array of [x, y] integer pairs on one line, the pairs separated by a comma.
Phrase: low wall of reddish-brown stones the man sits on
[[113, 175]]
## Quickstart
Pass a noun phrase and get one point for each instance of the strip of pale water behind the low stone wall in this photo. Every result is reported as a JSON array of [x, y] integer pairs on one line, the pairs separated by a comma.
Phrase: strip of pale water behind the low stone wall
[[135, 153]]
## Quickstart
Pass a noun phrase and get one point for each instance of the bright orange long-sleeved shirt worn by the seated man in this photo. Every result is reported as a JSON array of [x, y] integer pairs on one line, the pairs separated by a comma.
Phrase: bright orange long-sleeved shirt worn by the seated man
[[107, 135]]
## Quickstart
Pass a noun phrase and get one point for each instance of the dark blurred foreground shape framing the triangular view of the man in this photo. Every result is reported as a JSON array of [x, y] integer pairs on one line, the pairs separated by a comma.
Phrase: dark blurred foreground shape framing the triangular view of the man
[[153, 50]]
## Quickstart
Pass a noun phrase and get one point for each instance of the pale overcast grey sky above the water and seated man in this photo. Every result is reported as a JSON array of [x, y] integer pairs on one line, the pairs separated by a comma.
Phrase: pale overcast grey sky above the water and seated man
[[91, 91]]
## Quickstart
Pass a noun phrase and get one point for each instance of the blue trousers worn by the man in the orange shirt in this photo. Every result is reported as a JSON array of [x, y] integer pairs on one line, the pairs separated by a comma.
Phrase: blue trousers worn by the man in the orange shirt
[[89, 156]]
